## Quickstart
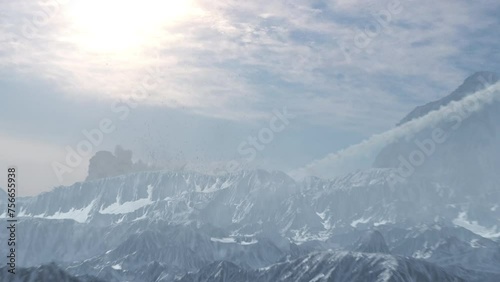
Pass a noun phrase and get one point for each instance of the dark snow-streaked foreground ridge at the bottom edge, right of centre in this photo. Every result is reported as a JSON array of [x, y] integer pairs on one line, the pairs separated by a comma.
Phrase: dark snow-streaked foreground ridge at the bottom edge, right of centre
[[329, 266]]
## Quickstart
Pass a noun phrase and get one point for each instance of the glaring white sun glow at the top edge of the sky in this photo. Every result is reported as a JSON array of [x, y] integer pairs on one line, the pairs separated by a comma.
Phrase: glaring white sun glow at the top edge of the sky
[[122, 25]]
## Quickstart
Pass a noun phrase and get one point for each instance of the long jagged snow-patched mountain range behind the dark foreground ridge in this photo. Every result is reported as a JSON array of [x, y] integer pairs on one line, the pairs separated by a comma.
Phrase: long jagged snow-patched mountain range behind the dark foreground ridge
[[153, 225]]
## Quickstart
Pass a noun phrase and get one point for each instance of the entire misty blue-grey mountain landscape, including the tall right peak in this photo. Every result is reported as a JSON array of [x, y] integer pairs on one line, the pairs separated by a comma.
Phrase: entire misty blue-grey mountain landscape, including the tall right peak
[[428, 210]]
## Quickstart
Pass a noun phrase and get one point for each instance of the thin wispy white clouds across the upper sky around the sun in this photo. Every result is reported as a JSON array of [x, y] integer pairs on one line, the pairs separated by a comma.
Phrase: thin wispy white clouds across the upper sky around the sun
[[229, 58]]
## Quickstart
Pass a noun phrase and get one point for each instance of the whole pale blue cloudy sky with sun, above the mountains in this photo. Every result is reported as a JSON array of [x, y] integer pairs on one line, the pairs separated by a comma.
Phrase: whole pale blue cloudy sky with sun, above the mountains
[[185, 84]]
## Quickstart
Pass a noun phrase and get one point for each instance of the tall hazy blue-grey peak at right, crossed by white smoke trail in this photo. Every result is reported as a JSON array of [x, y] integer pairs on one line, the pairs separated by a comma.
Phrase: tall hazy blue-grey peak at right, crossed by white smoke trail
[[464, 148]]
